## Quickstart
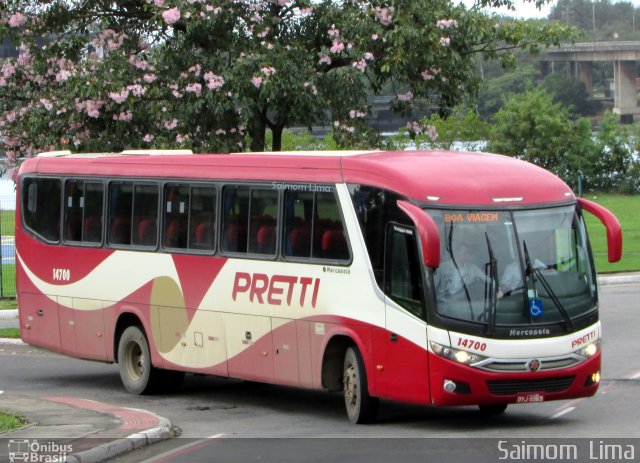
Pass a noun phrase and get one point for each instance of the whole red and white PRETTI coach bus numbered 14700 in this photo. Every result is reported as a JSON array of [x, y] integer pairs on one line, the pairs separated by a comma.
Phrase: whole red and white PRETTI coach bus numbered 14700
[[436, 278]]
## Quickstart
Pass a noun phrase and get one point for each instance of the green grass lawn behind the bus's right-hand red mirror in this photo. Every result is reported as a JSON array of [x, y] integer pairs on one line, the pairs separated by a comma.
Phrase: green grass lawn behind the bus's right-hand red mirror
[[627, 210]]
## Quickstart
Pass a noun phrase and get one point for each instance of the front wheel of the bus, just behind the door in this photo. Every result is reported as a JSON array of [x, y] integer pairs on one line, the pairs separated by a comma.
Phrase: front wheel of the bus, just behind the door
[[361, 407]]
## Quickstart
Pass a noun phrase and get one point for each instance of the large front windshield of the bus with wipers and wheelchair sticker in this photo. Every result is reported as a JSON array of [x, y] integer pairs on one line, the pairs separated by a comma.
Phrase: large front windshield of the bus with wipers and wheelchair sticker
[[505, 268]]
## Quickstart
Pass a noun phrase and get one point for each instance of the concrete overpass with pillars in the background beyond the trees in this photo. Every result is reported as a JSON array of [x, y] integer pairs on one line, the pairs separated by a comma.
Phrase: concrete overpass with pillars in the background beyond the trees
[[623, 55]]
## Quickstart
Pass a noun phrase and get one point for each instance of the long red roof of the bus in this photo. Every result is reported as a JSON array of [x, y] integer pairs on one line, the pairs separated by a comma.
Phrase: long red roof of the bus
[[437, 177]]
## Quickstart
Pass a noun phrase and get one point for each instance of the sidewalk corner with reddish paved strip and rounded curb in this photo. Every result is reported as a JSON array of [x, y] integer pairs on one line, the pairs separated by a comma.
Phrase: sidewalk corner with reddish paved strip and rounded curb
[[78, 430]]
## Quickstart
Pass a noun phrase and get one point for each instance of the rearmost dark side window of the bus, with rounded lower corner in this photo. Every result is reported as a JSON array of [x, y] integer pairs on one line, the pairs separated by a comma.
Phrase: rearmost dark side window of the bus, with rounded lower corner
[[41, 206]]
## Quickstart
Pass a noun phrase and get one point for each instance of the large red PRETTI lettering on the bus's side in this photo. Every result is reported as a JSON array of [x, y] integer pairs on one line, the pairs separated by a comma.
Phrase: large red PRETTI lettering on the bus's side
[[276, 289]]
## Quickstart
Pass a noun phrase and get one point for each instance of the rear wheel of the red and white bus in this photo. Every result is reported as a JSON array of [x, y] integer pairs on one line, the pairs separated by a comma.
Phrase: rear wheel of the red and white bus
[[138, 375]]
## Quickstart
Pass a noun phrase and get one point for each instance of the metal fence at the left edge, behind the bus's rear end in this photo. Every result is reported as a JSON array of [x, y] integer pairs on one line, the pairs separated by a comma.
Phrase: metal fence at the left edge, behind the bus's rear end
[[7, 246]]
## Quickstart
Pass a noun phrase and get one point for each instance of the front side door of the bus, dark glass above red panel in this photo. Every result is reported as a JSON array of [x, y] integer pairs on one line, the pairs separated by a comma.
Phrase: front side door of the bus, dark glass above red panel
[[402, 366]]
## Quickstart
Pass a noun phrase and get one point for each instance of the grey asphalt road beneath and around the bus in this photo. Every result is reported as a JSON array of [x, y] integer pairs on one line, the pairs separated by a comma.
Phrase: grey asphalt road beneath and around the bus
[[222, 409]]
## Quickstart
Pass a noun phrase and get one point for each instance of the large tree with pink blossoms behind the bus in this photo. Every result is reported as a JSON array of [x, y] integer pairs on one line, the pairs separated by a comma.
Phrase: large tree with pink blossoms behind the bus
[[214, 75]]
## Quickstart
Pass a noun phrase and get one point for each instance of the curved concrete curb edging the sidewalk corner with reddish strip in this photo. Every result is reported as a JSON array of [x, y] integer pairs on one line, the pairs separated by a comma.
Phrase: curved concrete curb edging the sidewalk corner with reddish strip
[[109, 450]]
